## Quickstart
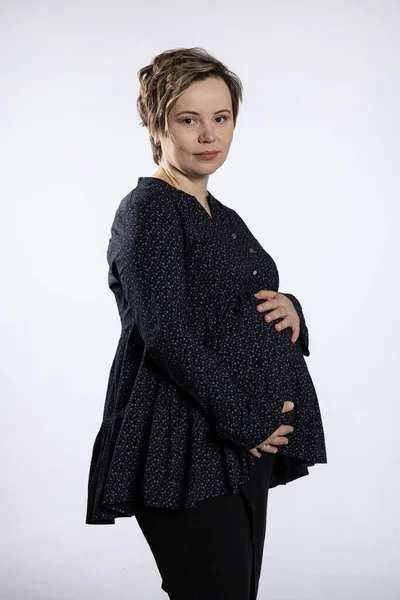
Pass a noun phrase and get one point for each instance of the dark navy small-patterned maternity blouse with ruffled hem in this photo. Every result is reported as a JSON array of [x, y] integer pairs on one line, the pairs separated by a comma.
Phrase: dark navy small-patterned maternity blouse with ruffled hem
[[199, 377]]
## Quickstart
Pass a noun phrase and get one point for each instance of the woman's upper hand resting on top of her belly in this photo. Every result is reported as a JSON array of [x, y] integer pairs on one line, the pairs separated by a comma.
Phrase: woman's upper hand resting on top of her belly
[[281, 306]]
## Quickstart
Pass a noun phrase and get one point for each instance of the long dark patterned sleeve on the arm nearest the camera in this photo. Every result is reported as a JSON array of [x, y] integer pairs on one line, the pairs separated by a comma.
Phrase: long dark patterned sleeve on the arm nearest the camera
[[149, 251]]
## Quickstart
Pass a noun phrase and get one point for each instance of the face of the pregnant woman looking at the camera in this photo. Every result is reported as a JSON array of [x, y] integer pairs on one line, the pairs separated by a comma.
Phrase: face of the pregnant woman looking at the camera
[[211, 128]]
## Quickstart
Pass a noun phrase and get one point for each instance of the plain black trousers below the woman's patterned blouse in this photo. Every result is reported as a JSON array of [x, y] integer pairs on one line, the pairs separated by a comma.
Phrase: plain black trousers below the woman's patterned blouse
[[213, 550]]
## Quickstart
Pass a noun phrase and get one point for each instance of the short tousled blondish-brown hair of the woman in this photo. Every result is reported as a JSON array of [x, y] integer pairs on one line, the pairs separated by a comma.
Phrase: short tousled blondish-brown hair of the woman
[[168, 76]]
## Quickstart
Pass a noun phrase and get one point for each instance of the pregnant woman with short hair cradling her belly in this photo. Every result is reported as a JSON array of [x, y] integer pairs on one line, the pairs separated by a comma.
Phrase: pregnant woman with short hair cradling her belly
[[197, 425]]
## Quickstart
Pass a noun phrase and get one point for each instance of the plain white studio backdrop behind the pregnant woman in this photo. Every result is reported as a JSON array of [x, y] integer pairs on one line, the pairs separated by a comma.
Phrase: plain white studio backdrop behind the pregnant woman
[[313, 170]]
